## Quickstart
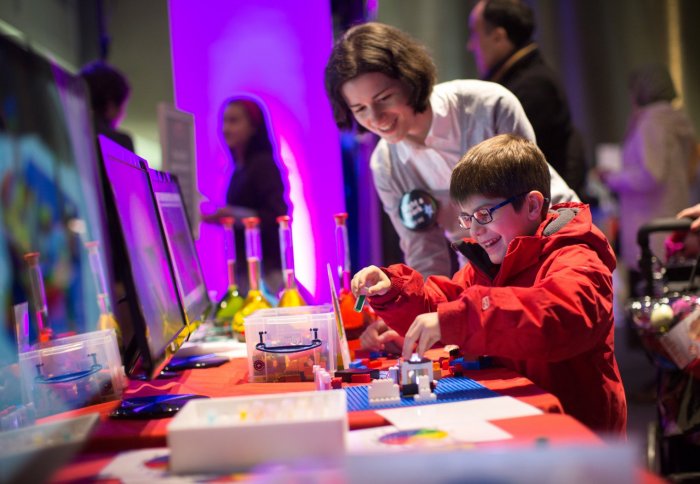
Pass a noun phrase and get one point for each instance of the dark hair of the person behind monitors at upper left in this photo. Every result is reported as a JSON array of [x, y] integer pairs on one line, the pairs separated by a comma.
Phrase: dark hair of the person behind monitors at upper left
[[106, 84]]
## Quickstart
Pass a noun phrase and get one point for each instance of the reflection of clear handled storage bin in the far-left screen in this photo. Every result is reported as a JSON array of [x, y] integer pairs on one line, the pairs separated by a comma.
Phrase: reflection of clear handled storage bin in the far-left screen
[[72, 372]]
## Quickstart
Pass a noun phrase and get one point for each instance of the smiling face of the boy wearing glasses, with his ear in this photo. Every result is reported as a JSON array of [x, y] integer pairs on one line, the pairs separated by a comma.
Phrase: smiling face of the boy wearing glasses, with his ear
[[507, 223]]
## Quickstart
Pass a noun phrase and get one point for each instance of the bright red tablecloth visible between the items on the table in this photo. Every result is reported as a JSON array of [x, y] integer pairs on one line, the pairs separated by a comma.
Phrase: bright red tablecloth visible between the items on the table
[[111, 436]]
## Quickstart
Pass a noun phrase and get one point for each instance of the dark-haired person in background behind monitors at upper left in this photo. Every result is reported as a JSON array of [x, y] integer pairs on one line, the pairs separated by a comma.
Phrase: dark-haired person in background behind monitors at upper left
[[109, 97]]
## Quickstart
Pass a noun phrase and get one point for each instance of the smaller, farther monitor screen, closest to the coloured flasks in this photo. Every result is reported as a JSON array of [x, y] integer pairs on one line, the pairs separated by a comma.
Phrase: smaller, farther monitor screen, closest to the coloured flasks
[[188, 272]]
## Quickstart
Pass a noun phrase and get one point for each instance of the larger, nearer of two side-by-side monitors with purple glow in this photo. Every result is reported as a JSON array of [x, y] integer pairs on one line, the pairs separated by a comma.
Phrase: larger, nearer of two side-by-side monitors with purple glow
[[154, 308]]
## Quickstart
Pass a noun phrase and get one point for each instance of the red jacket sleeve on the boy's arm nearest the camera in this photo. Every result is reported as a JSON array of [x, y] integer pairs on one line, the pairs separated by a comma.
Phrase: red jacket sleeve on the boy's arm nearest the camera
[[566, 312]]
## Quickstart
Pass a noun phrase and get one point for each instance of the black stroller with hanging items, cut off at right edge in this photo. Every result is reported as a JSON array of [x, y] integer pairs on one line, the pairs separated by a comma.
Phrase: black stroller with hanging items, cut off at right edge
[[671, 299]]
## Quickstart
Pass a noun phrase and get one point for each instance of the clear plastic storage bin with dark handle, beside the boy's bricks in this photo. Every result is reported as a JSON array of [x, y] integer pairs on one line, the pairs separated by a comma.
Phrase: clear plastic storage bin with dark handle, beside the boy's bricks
[[284, 343]]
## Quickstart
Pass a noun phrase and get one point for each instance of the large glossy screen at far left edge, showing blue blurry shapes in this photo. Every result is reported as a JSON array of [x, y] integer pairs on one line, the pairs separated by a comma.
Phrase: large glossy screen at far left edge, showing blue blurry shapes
[[50, 196]]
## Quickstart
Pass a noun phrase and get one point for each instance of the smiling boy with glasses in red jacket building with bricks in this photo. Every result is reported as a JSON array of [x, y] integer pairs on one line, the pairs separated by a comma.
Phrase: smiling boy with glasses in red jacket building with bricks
[[537, 294]]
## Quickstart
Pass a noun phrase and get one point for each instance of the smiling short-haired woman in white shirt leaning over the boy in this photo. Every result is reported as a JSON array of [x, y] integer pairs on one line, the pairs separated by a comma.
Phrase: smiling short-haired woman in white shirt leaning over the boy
[[383, 80]]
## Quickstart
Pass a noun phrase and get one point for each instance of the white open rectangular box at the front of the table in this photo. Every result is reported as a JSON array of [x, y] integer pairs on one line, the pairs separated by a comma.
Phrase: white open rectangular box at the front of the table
[[223, 435]]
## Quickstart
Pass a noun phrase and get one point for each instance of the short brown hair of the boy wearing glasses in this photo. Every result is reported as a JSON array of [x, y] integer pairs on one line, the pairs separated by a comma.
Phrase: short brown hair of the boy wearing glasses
[[502, 166]]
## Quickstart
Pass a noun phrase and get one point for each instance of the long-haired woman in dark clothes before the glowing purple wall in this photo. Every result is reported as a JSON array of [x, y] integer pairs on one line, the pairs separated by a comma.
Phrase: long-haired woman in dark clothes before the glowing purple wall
[[256, 188]]
